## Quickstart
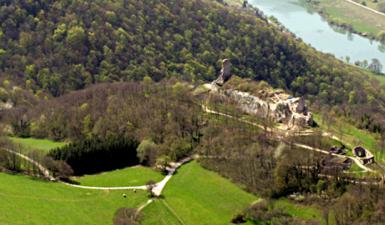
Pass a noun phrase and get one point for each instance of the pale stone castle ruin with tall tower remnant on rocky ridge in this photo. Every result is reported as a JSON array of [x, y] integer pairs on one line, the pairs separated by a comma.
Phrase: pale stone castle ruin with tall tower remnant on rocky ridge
[[281, 107]]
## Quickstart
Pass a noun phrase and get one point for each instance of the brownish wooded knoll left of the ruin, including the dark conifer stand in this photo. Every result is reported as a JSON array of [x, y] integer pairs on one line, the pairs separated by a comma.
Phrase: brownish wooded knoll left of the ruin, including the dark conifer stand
[[163, 117]]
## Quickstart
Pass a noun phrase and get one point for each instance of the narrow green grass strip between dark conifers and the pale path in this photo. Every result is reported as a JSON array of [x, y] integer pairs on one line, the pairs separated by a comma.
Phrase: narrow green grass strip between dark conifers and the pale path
[[133, 176]]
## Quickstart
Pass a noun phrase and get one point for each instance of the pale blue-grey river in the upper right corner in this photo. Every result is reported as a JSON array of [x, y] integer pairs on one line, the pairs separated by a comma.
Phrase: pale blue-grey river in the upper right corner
[[314, 30]]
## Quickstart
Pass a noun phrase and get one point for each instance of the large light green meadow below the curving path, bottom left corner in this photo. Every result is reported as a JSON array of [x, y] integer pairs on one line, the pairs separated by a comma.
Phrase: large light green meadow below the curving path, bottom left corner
[[24, 201]]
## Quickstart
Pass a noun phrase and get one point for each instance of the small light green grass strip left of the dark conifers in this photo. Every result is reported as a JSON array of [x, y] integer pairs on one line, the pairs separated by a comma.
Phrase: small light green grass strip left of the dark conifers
[[37, 144]]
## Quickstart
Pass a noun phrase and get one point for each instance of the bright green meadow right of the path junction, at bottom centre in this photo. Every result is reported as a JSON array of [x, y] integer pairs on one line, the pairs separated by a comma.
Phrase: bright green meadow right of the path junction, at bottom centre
[[198, 196]]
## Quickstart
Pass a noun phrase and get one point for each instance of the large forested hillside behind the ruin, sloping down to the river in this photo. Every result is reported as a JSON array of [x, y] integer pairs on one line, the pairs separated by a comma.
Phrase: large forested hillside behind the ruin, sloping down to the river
[[58, 46]]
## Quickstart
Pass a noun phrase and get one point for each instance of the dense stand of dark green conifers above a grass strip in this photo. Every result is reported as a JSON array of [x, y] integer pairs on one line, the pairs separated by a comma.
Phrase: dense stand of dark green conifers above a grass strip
[[98, 154]]
